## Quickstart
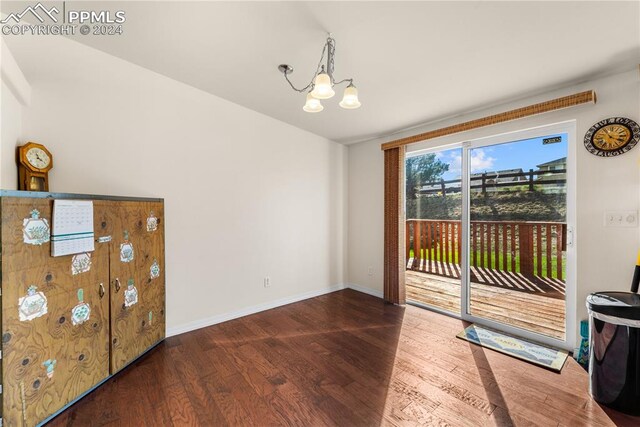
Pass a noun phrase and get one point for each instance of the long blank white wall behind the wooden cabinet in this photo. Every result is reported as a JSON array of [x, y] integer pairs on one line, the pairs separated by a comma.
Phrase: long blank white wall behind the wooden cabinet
[[246, 196]]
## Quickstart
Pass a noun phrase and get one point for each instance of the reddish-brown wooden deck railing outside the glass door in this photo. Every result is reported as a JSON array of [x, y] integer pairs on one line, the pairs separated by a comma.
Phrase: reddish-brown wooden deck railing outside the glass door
[[532, 249]]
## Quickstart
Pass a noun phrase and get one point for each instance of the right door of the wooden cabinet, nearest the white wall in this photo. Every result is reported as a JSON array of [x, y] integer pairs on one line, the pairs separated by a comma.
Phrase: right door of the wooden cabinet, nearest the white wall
[[137, 294]]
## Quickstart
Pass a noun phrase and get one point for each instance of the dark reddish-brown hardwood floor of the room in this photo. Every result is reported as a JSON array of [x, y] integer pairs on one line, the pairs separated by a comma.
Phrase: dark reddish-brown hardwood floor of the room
[[342, 359]]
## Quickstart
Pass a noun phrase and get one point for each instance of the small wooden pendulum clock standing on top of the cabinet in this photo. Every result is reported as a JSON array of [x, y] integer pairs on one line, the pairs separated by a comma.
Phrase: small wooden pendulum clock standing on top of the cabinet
[[34, 164]]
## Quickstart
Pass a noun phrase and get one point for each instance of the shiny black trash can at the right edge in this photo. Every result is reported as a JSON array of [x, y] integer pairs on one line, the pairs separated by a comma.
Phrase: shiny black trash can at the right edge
[[614, 342]]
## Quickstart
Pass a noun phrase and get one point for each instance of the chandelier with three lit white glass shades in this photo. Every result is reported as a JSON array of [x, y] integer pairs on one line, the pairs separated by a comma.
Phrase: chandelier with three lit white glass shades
[[322, 83]]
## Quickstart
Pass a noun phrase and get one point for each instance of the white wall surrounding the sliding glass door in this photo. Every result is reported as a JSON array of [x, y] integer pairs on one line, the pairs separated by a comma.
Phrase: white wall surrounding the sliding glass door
[[605, 256]]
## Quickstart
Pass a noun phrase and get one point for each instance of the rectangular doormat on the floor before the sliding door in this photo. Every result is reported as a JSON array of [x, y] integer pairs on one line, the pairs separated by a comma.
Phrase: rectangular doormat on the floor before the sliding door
[[516, 347]]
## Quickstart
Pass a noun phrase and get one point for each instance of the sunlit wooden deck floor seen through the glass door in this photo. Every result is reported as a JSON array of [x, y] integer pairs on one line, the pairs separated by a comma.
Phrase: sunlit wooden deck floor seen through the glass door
[[537, 312]]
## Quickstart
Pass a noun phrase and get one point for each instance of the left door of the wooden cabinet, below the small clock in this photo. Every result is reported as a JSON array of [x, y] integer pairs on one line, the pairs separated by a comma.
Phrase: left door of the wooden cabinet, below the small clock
[[49, 358]]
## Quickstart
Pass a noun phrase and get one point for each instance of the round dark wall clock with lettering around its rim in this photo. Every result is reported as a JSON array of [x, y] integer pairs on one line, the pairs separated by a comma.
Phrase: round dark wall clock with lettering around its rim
[[612, 137]]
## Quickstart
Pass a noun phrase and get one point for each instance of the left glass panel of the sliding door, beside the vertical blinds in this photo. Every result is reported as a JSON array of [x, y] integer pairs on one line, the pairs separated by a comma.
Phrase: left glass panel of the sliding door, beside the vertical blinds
[[434, 229]]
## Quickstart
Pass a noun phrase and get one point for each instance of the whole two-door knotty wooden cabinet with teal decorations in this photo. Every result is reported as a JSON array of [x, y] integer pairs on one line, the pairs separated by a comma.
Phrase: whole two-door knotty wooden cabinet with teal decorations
[[51, 353]]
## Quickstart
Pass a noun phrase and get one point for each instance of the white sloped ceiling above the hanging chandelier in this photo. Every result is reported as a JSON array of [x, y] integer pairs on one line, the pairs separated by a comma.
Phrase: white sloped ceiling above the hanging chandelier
[[413, 62]]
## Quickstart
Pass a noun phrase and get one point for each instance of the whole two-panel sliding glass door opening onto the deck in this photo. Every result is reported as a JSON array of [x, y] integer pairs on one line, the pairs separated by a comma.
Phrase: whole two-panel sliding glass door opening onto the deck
[[489, 232]]
